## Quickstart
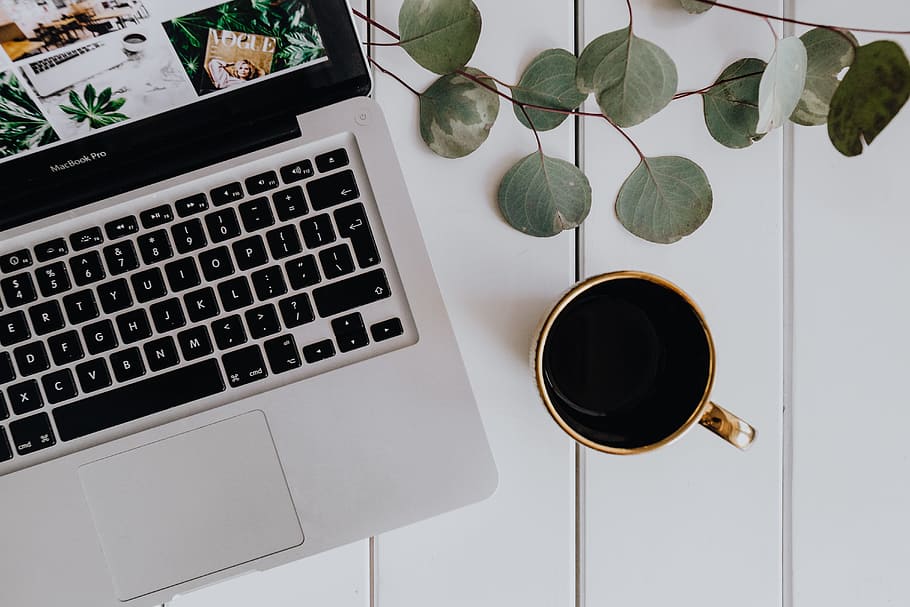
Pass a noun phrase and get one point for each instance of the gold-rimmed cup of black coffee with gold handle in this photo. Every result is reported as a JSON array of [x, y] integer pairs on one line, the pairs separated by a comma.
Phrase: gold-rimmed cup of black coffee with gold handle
[[625, 364]]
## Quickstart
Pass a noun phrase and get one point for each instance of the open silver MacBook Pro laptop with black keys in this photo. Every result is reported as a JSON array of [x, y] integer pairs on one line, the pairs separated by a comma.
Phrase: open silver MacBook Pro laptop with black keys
[[222, 345]]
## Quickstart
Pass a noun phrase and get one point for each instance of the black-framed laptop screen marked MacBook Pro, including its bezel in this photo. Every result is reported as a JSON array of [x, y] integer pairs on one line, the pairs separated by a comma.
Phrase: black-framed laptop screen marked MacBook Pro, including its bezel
[[98, 97]]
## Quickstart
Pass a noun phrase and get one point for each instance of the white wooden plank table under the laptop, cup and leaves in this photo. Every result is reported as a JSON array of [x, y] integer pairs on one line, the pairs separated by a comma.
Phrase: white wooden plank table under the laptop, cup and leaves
[[801, 273]]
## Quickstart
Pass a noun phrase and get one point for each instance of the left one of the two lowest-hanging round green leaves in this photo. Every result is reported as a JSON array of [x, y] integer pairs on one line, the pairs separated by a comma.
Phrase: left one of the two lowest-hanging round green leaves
[[543, 196]]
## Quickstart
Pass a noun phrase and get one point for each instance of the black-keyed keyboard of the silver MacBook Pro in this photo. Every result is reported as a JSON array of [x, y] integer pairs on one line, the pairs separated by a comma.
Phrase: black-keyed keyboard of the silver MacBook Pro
[[186, 300]]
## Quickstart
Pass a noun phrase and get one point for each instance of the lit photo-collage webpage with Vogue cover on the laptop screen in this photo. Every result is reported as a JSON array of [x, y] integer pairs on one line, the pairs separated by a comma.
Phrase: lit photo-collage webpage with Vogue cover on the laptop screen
[[70, 68]]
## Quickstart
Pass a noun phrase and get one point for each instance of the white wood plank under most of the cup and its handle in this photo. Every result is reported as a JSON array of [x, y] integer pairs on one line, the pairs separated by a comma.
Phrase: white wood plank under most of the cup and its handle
[[697, 522]]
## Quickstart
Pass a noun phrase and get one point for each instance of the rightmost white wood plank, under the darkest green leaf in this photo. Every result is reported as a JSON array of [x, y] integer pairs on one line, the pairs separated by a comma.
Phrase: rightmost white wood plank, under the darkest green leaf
[[851, 219]]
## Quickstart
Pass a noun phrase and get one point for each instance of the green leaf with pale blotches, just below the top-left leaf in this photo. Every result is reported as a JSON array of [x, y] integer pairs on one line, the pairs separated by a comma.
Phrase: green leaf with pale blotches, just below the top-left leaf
[[456, 114]]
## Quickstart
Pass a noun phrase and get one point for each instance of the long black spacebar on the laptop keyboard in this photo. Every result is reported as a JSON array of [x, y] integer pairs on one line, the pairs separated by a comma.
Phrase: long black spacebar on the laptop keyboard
[[154, 395]]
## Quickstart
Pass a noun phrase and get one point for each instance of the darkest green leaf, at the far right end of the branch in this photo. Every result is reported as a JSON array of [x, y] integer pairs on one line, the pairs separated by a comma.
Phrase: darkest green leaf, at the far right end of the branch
[[872, 92]]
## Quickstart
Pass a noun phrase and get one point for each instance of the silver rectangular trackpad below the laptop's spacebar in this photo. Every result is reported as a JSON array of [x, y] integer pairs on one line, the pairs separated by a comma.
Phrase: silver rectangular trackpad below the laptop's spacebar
[[190, 505]]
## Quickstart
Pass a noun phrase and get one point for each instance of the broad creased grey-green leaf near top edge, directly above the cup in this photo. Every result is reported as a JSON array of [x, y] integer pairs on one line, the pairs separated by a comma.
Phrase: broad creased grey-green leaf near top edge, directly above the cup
[[632, 78]]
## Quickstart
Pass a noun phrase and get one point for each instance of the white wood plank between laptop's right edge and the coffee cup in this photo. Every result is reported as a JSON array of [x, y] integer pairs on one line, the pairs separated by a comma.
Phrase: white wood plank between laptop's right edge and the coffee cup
[[517, 547]]
